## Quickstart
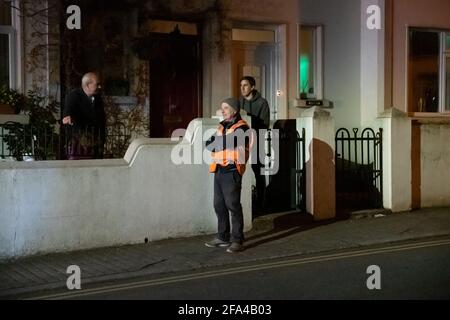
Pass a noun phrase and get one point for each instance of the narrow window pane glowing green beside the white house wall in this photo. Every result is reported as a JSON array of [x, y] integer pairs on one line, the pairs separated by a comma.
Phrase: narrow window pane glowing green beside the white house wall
[[306, 62]]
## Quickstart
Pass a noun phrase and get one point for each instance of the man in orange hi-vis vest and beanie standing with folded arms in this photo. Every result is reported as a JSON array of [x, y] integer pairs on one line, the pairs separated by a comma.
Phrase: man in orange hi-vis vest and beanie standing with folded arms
[[230, 147]]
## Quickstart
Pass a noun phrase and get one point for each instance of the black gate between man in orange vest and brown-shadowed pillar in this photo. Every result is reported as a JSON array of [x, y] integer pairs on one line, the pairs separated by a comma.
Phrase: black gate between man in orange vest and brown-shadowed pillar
[[286, 190]]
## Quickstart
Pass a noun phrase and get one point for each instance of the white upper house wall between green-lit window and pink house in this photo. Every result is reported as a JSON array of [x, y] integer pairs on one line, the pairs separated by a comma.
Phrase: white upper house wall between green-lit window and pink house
[[342, 54]]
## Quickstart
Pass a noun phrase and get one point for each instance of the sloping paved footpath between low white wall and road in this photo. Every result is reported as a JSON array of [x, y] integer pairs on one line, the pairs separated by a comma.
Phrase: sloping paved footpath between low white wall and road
[[272, 236]]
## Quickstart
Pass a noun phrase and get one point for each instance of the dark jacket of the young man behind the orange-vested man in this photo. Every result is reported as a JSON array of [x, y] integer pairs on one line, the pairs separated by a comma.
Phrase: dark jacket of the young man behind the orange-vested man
[[258, 109]]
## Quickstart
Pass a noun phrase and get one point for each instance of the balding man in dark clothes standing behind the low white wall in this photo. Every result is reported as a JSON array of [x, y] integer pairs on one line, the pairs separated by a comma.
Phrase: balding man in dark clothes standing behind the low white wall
[[84, 113]]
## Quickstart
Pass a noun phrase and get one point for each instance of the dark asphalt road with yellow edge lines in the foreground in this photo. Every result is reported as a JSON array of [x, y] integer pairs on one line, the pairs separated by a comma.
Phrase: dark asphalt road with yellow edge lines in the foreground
[[413, 270]]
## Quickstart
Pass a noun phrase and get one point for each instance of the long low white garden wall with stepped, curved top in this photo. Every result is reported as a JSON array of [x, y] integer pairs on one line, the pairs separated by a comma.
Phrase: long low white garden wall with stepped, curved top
[[55, 206]]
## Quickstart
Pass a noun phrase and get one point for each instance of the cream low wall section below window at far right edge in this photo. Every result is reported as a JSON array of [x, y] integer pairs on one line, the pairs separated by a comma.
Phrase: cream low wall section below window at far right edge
[[435, 161]]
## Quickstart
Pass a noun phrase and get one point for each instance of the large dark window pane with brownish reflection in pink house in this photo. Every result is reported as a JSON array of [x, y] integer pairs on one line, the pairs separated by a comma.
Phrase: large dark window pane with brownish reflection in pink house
[[424, 71]]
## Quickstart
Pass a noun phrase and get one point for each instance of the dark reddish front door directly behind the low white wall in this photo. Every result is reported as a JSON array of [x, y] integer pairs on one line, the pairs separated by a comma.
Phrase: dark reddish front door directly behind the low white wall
[[175, 78]]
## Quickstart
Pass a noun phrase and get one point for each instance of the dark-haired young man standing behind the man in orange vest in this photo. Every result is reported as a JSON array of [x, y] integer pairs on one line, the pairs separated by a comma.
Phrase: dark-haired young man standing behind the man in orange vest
[[258, 109]]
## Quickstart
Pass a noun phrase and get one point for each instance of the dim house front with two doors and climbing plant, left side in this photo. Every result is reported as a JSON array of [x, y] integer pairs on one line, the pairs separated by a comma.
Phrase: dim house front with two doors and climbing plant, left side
[[142, 48]]
